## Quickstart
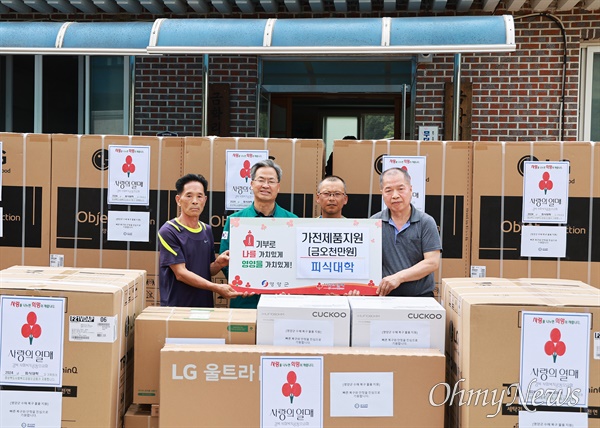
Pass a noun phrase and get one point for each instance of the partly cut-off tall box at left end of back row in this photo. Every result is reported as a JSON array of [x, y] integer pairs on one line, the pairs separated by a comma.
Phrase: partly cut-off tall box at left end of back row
[[25, 200]]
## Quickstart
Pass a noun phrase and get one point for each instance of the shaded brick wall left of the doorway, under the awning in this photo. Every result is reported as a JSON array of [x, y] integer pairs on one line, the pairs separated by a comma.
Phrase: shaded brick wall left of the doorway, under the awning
[[168, 93]]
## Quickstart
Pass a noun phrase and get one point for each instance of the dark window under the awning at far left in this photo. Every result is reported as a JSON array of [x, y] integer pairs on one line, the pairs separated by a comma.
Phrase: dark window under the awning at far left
[[65, 94]]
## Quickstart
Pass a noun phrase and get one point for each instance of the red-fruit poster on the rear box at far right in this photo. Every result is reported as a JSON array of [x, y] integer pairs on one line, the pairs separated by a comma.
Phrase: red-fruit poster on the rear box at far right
[[545, 192]]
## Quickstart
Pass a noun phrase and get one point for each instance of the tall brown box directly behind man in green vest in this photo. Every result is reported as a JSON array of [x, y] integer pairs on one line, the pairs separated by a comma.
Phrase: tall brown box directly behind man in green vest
[[301, 162]]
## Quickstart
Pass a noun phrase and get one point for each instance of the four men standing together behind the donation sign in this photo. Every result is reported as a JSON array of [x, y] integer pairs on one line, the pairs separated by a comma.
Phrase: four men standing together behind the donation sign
[[410, 238]]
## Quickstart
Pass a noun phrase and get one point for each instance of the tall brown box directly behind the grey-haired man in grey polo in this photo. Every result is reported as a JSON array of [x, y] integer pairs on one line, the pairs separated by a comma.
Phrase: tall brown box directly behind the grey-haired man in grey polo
[[448, 189]]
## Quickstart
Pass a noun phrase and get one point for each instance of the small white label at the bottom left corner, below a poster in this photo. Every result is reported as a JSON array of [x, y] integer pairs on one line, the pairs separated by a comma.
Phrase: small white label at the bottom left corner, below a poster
[[37, 409]]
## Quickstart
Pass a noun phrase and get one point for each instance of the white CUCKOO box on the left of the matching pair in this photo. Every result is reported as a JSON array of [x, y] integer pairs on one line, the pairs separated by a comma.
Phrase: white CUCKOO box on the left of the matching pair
[[295, 320]]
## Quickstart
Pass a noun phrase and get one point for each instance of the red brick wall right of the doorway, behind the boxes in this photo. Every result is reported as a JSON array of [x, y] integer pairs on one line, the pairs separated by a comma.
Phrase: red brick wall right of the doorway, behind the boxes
[[516, 96]]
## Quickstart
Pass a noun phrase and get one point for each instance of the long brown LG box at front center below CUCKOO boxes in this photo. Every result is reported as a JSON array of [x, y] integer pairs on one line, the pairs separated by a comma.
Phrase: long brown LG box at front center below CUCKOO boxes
[[291, 386]]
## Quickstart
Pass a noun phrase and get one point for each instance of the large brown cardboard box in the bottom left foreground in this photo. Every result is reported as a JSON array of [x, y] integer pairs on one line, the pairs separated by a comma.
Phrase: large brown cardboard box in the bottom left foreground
[[97, 375]]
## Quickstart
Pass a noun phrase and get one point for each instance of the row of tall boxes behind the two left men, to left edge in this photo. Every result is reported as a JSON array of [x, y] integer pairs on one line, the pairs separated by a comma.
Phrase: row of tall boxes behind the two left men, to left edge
[[55, 208]]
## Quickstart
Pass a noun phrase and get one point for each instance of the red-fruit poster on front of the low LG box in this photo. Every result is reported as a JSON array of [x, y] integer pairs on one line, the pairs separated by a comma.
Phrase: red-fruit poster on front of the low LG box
[[291, 392]]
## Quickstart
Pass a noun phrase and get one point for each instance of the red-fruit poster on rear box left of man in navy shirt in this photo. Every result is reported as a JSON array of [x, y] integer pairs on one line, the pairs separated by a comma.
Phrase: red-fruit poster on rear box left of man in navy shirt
[[128, 175]]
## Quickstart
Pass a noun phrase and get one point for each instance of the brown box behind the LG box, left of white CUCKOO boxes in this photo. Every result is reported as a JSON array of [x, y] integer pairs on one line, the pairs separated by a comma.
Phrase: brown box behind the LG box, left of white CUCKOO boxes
[[156, 325]]
